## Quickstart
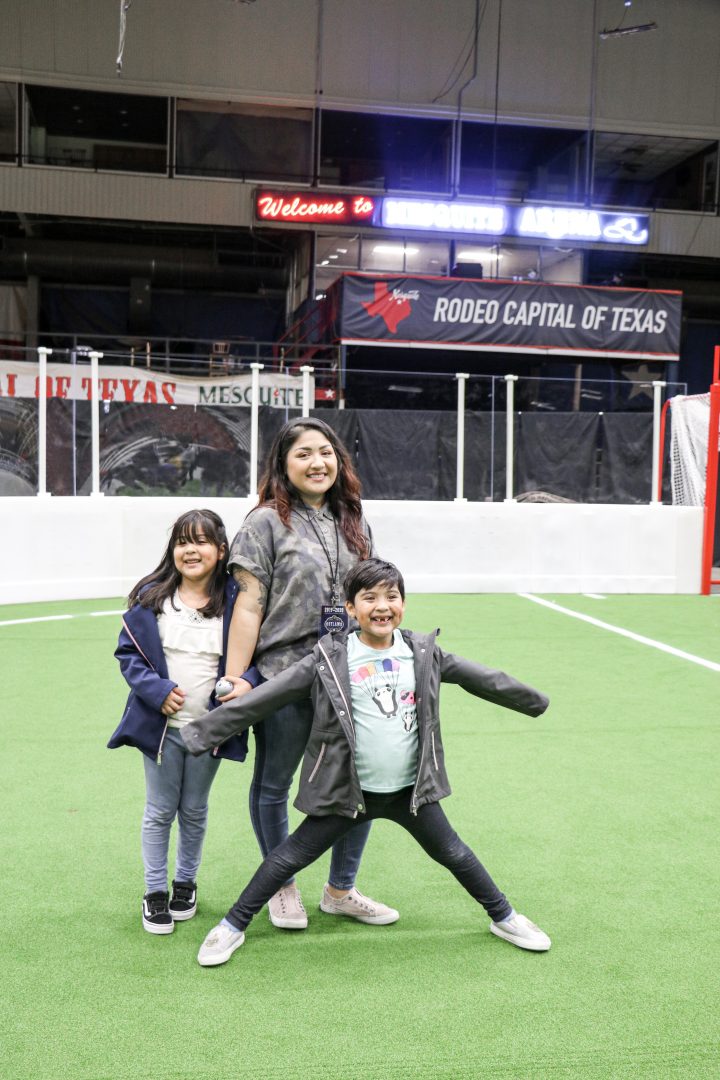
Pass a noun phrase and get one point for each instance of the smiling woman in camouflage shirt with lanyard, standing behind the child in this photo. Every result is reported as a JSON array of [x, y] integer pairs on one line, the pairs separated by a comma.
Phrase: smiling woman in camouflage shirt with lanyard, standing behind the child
[[289, 560]]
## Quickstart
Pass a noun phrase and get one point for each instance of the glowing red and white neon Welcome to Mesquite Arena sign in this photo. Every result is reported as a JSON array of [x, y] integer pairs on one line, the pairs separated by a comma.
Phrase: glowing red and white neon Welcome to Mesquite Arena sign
[[454, 217]]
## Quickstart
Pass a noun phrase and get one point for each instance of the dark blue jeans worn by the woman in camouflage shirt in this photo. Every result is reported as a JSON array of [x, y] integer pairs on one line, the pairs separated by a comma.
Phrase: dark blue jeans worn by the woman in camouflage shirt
[[280, 744]]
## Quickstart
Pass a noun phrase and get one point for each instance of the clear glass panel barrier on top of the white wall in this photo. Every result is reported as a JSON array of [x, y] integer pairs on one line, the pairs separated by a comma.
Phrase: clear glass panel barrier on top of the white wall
[[170, 434]]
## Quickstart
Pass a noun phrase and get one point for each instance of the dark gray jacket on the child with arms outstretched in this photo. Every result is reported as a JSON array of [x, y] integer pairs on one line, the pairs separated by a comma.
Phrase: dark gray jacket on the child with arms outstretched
[[329, 779]]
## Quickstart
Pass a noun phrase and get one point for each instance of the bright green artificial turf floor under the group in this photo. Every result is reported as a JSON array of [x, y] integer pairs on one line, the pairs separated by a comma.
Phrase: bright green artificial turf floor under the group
[[600, 820]]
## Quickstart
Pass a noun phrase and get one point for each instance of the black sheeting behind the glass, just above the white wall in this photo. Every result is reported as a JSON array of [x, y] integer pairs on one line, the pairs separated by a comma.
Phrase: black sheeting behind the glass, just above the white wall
[[400, 454]]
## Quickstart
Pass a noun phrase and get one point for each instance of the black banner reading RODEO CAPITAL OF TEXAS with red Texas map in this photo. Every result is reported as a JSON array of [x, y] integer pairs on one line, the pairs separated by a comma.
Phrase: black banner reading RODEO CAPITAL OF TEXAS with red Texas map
[[506, 317]]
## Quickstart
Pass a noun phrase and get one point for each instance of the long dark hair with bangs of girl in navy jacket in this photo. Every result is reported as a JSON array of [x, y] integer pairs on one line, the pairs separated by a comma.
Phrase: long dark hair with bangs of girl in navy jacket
[[161, 584]]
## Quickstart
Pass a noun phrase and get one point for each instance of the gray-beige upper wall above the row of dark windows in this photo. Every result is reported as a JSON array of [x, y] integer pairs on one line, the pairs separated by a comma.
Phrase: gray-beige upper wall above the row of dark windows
[[400, 55]]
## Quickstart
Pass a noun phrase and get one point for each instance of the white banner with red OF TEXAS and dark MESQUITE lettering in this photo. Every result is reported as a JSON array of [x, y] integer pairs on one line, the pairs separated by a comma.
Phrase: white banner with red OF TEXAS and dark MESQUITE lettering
[[143, 387]]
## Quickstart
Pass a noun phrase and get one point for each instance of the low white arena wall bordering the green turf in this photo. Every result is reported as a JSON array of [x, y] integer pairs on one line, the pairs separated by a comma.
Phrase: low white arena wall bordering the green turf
[[96, 547]]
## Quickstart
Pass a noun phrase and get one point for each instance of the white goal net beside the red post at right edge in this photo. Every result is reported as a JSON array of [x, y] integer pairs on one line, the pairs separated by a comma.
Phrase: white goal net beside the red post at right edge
[[689, 439]]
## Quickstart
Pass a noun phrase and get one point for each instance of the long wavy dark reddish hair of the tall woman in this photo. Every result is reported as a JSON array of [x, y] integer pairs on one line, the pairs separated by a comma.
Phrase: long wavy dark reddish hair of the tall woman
[[344, 498]]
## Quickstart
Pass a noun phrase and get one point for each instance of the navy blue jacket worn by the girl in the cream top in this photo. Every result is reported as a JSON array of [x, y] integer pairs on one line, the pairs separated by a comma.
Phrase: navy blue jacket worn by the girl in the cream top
[[144, 667]]
